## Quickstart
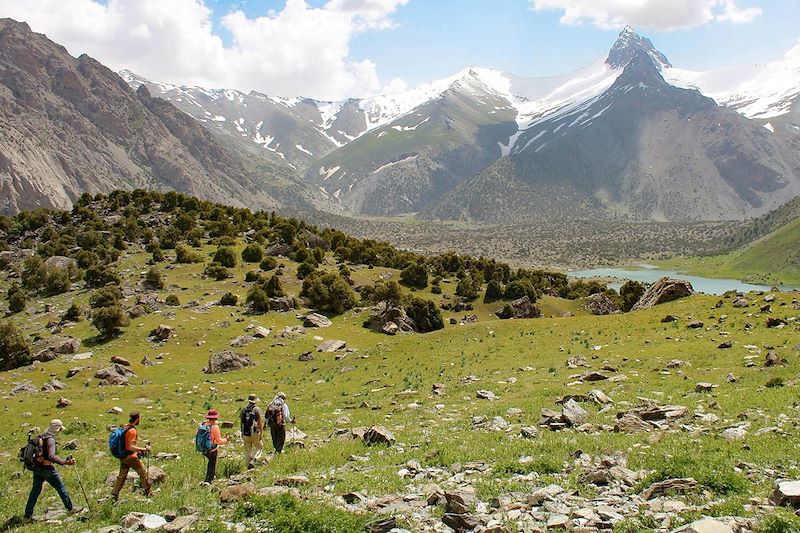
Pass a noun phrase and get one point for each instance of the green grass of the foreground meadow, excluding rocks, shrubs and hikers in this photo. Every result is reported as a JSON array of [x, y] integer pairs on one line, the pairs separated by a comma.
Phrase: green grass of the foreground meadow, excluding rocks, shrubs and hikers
[[435, 430]]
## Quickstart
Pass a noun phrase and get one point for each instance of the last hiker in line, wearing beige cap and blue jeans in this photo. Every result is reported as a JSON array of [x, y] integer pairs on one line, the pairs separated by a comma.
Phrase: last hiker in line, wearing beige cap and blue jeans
[[44, 470]]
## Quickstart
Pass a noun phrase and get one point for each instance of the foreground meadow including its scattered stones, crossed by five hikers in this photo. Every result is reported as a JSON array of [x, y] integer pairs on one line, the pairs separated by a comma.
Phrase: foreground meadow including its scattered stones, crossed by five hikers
[[736, 436]]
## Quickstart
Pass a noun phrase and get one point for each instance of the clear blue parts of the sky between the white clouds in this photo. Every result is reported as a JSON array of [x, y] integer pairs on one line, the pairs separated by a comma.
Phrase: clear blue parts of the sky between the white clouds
[[435, 38]]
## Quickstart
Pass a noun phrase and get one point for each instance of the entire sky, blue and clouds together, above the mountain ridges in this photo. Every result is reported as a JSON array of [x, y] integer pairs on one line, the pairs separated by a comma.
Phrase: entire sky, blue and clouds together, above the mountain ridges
[[333, 49]]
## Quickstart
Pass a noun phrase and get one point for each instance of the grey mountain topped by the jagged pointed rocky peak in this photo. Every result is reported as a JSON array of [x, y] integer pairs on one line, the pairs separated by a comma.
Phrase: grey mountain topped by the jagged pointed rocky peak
[[642, 149]]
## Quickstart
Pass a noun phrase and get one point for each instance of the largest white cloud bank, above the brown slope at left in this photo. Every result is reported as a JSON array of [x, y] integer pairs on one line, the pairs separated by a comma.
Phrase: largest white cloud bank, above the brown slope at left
[[300, 50]]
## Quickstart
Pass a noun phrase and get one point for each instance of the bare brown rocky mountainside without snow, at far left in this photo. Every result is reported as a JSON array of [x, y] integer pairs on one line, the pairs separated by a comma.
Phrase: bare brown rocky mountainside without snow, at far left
[[72, 126]]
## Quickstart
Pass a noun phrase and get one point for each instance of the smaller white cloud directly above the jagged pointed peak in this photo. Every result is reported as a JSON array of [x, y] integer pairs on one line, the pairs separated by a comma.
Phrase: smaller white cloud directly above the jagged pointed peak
[[652, 14]]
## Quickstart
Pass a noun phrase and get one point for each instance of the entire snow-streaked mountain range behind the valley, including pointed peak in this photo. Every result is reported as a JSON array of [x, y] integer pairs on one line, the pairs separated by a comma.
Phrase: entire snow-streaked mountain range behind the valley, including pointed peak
[[402, 153]]
